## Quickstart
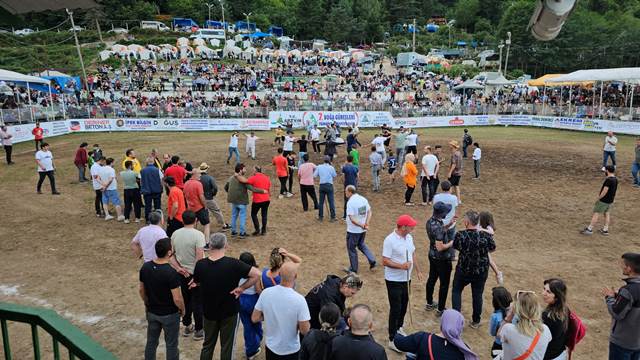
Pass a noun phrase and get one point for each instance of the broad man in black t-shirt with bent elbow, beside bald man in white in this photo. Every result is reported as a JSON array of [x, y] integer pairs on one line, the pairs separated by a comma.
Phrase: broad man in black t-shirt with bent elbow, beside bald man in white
[[219, 276]]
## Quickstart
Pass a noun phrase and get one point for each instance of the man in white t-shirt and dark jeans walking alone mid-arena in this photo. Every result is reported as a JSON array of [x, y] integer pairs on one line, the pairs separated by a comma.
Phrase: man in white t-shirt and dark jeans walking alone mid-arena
[[358, 217]]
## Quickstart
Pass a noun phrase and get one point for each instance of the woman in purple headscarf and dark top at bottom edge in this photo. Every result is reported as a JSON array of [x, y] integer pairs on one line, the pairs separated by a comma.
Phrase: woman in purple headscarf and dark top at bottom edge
[[446, 344]]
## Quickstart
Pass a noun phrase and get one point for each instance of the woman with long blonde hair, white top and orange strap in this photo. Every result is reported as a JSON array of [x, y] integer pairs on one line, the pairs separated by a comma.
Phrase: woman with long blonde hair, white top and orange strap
[[523, 334]]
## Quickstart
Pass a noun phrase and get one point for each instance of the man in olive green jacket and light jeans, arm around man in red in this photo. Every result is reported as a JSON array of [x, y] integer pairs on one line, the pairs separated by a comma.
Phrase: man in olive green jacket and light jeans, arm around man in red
[[238, 197]]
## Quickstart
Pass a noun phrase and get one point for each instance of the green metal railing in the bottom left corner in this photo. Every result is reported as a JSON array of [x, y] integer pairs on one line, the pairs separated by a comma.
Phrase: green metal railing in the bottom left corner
[[78, 344]]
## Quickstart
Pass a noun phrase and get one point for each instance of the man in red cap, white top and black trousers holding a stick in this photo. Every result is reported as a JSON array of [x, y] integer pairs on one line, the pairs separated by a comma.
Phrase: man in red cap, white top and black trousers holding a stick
[[398, 258]]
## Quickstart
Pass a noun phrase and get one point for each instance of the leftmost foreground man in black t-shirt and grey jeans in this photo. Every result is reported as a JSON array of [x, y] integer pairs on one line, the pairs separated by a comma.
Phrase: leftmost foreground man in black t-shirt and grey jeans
[[162, 297]]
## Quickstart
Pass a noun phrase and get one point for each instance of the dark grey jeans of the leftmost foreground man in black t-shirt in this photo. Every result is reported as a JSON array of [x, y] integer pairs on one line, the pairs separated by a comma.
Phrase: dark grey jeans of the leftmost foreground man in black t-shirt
[[170, 324]]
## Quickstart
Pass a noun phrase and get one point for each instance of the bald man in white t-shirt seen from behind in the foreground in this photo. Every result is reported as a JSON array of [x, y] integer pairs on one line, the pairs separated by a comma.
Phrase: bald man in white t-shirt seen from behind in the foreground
[[285, 314]]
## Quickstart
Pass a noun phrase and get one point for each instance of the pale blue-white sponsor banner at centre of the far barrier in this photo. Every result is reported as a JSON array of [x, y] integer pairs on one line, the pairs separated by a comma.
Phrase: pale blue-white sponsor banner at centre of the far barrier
[[307, 119]]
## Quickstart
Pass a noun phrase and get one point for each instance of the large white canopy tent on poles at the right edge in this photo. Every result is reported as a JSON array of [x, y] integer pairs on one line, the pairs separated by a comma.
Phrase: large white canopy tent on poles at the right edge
[[628, 75]]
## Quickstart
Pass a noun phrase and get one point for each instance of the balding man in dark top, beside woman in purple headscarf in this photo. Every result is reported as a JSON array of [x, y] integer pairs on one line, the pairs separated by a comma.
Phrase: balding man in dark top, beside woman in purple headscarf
[[357, 343]]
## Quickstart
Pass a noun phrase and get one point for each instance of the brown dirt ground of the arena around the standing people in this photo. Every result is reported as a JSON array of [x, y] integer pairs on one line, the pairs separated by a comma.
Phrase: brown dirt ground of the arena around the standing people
[[539, 184]]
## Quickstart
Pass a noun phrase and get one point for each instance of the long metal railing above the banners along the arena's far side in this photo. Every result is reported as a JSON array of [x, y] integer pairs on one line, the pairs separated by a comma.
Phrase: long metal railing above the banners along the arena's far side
[[397, 109]]
